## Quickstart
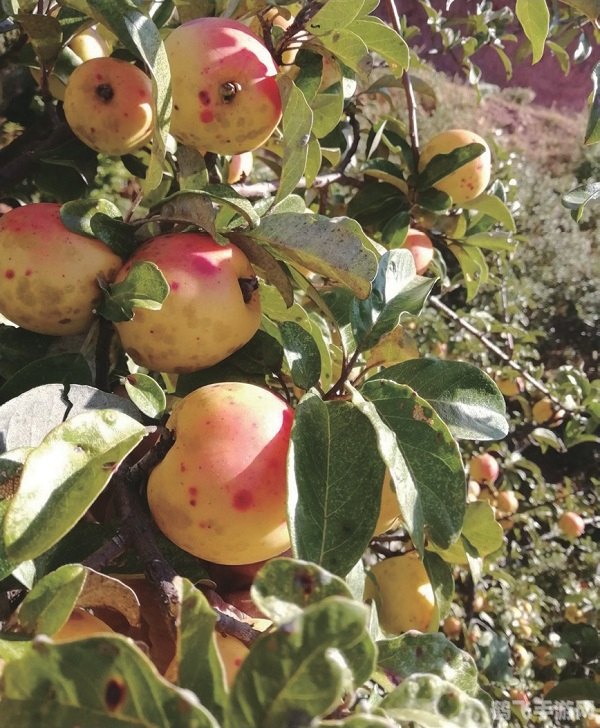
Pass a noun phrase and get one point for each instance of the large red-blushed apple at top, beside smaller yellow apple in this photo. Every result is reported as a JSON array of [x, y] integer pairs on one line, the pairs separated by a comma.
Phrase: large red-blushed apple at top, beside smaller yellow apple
[[225, 94]]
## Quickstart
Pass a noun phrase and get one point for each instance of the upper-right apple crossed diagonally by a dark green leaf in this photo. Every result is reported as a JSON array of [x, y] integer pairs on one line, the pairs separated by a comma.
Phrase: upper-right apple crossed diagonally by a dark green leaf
[[470, 180]]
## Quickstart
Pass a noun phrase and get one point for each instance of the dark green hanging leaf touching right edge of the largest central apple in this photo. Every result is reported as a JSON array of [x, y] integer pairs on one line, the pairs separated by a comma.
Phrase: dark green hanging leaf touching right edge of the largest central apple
[[331, 518]]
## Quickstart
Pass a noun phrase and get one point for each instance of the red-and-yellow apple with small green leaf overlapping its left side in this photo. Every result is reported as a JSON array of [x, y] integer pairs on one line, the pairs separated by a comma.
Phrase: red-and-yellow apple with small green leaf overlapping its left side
[[212, 309]]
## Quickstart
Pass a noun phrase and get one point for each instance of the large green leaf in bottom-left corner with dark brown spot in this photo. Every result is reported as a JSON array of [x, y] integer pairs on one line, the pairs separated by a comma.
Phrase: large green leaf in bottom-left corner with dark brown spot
[[102, 681]]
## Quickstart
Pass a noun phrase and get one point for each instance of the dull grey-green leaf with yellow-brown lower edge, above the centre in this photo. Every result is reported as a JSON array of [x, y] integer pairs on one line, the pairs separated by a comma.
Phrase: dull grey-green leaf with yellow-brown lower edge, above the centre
[[336, 248]]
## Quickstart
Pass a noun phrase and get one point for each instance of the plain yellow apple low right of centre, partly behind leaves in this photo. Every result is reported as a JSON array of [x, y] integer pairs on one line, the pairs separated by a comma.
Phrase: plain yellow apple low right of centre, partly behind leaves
[[403, 594]]
